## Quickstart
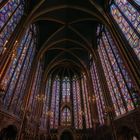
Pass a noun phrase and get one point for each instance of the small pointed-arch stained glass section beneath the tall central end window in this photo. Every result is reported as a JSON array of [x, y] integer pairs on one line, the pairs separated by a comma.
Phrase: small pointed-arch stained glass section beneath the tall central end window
[[66, 117]]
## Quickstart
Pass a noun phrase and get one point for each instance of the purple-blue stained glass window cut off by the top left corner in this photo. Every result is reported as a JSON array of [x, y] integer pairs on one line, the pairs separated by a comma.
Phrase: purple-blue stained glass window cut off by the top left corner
[[10, 15]]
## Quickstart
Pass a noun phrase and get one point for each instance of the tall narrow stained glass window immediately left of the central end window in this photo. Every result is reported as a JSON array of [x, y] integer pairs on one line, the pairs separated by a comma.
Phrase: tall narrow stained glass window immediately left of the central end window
[[55, 103]]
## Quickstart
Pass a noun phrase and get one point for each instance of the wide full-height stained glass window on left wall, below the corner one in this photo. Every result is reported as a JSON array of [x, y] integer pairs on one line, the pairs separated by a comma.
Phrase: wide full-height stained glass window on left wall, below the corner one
[[16, 76]]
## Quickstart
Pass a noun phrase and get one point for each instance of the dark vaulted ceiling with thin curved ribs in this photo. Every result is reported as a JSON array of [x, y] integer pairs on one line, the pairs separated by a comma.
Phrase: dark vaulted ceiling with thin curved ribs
[[67, 29]]
